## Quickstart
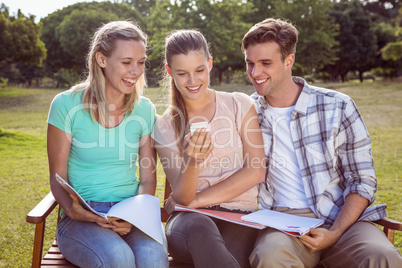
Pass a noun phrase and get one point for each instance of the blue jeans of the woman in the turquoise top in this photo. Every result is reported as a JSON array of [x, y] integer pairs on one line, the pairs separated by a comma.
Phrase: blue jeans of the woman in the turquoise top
[[86, 244]]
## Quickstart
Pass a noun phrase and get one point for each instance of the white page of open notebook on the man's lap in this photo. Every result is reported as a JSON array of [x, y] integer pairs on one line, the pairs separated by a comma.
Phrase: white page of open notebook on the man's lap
[[283, 221]]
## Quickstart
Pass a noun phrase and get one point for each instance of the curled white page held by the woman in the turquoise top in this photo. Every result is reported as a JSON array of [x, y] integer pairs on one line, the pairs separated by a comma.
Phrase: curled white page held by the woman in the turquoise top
[[143, 211]]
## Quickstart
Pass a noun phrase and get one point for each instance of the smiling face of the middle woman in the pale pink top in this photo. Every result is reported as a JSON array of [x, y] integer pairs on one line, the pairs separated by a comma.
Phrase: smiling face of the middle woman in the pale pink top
[[191, 74]]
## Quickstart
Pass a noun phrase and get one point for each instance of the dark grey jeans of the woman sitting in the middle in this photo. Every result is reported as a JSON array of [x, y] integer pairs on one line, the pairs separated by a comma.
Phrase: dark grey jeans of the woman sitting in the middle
[[206, 242]]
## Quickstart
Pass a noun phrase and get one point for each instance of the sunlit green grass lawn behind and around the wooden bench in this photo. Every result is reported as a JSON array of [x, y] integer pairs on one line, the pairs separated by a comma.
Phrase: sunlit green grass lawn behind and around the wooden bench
[[24, 170]]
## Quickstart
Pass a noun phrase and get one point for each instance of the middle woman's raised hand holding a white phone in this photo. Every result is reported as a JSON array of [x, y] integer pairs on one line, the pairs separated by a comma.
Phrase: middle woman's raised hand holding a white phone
[[199, 147]]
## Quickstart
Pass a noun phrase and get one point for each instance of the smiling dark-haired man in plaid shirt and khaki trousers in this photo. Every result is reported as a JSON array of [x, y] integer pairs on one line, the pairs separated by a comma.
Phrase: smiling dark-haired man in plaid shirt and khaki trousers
[[319, 163]]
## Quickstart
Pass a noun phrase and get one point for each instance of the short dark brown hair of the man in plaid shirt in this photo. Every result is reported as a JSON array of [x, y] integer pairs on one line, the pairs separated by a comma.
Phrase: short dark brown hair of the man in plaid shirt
[[273, 30]]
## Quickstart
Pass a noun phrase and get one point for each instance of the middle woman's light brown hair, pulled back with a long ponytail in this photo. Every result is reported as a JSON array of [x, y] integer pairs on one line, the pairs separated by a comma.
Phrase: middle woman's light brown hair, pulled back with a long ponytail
[[176, 43]]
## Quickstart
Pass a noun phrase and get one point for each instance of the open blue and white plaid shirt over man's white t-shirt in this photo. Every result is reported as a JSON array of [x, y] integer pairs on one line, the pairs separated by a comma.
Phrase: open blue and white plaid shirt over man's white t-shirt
[[333, 150]]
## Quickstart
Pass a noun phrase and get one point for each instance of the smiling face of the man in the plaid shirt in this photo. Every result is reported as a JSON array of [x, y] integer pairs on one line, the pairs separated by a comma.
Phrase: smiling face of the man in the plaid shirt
[[266, 69]]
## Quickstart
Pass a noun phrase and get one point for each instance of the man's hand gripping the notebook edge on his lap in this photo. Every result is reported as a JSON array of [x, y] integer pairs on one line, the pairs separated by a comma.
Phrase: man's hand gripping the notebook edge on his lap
[[318, 239]]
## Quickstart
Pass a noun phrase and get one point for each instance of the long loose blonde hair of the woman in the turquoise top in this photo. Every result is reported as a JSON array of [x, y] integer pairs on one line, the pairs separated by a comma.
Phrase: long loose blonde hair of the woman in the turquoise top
[[104, 41]]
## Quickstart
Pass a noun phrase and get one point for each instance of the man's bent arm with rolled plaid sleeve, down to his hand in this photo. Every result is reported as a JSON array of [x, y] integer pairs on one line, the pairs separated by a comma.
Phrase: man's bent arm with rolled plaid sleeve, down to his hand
[[354, 153]]
